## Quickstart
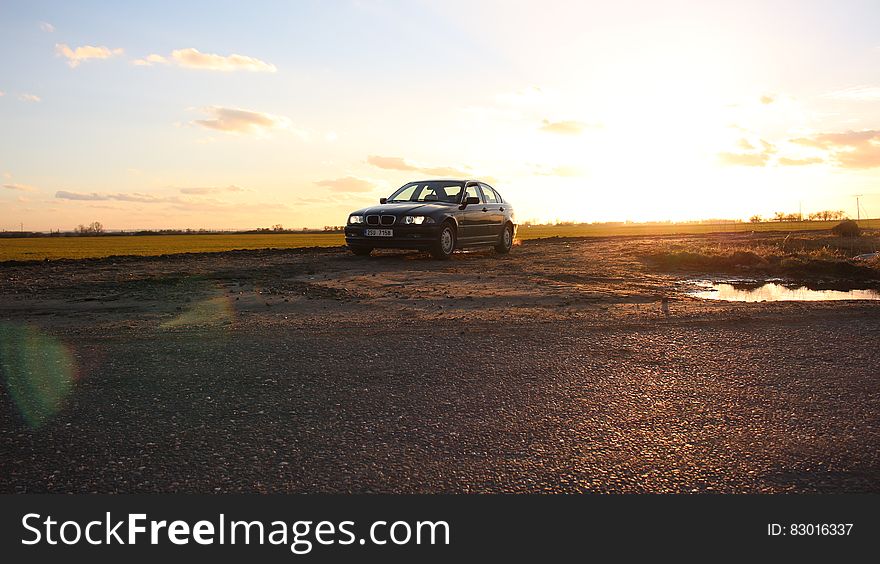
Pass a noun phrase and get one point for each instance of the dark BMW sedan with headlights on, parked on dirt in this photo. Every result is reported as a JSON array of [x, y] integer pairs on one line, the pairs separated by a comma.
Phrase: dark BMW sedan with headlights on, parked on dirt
[[435, 215]]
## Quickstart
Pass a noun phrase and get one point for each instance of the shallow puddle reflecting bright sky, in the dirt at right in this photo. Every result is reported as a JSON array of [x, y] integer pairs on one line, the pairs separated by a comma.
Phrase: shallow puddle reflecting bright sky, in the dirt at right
[[776, 292]]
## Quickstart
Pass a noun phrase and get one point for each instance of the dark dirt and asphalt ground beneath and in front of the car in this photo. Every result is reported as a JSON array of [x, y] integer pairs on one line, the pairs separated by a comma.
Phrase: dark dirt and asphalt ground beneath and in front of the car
[[552, 369]]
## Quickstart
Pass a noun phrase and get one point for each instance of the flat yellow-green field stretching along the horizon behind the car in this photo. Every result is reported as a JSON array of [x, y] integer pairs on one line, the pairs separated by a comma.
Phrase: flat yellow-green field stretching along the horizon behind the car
[[40, 248]]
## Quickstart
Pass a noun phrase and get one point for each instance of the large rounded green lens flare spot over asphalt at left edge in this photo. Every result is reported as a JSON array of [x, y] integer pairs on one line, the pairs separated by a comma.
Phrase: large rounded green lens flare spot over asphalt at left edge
[[37, 371]]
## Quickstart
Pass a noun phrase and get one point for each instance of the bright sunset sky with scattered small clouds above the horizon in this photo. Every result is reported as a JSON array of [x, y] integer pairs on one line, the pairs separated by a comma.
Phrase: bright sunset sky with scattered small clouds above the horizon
[[238, 115]]
